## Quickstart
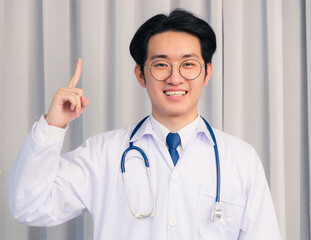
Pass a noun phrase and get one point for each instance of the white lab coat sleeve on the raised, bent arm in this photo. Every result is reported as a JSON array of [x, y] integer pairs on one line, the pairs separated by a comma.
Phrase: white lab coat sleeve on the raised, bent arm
[[45, 188]]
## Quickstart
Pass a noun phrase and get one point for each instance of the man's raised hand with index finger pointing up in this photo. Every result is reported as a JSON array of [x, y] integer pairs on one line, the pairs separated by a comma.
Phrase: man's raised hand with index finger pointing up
[[68, 103]]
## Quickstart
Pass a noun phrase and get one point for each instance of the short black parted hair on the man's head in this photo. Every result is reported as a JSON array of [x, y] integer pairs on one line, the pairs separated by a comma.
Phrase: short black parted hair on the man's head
[[178, 21]]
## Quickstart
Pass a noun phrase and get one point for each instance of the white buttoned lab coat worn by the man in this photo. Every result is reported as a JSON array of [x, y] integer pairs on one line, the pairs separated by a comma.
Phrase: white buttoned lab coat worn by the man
[[48, 189]]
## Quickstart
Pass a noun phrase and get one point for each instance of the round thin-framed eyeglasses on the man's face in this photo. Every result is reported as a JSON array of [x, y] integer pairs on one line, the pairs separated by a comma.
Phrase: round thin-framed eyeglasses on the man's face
[[189, 69]]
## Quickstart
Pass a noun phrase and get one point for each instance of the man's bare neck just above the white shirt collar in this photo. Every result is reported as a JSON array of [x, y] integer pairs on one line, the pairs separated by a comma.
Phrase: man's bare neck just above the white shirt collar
[[175, 123]]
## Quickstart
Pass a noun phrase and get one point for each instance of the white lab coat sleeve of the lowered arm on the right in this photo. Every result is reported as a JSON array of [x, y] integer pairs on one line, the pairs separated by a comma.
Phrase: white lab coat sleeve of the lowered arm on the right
[[259, 218]]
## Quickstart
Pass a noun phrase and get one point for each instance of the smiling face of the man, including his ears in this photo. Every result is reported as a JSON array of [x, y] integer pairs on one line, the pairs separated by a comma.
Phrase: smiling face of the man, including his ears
[[174, 97]]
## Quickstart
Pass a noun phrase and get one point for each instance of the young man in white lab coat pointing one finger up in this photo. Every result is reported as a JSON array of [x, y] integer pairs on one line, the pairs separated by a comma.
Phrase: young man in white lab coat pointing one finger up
[[173, 55]]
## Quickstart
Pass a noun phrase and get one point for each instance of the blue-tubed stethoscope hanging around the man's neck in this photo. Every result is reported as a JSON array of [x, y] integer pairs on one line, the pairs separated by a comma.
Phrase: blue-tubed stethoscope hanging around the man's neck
[[217, 211]]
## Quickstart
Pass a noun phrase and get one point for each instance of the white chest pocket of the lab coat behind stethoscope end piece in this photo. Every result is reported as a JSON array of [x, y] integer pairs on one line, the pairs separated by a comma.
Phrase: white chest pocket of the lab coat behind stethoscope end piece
[[228, 226]]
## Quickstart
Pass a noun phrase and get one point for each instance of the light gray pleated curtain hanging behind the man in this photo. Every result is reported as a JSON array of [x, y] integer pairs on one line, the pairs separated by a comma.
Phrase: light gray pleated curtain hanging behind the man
[[260, 90]]
